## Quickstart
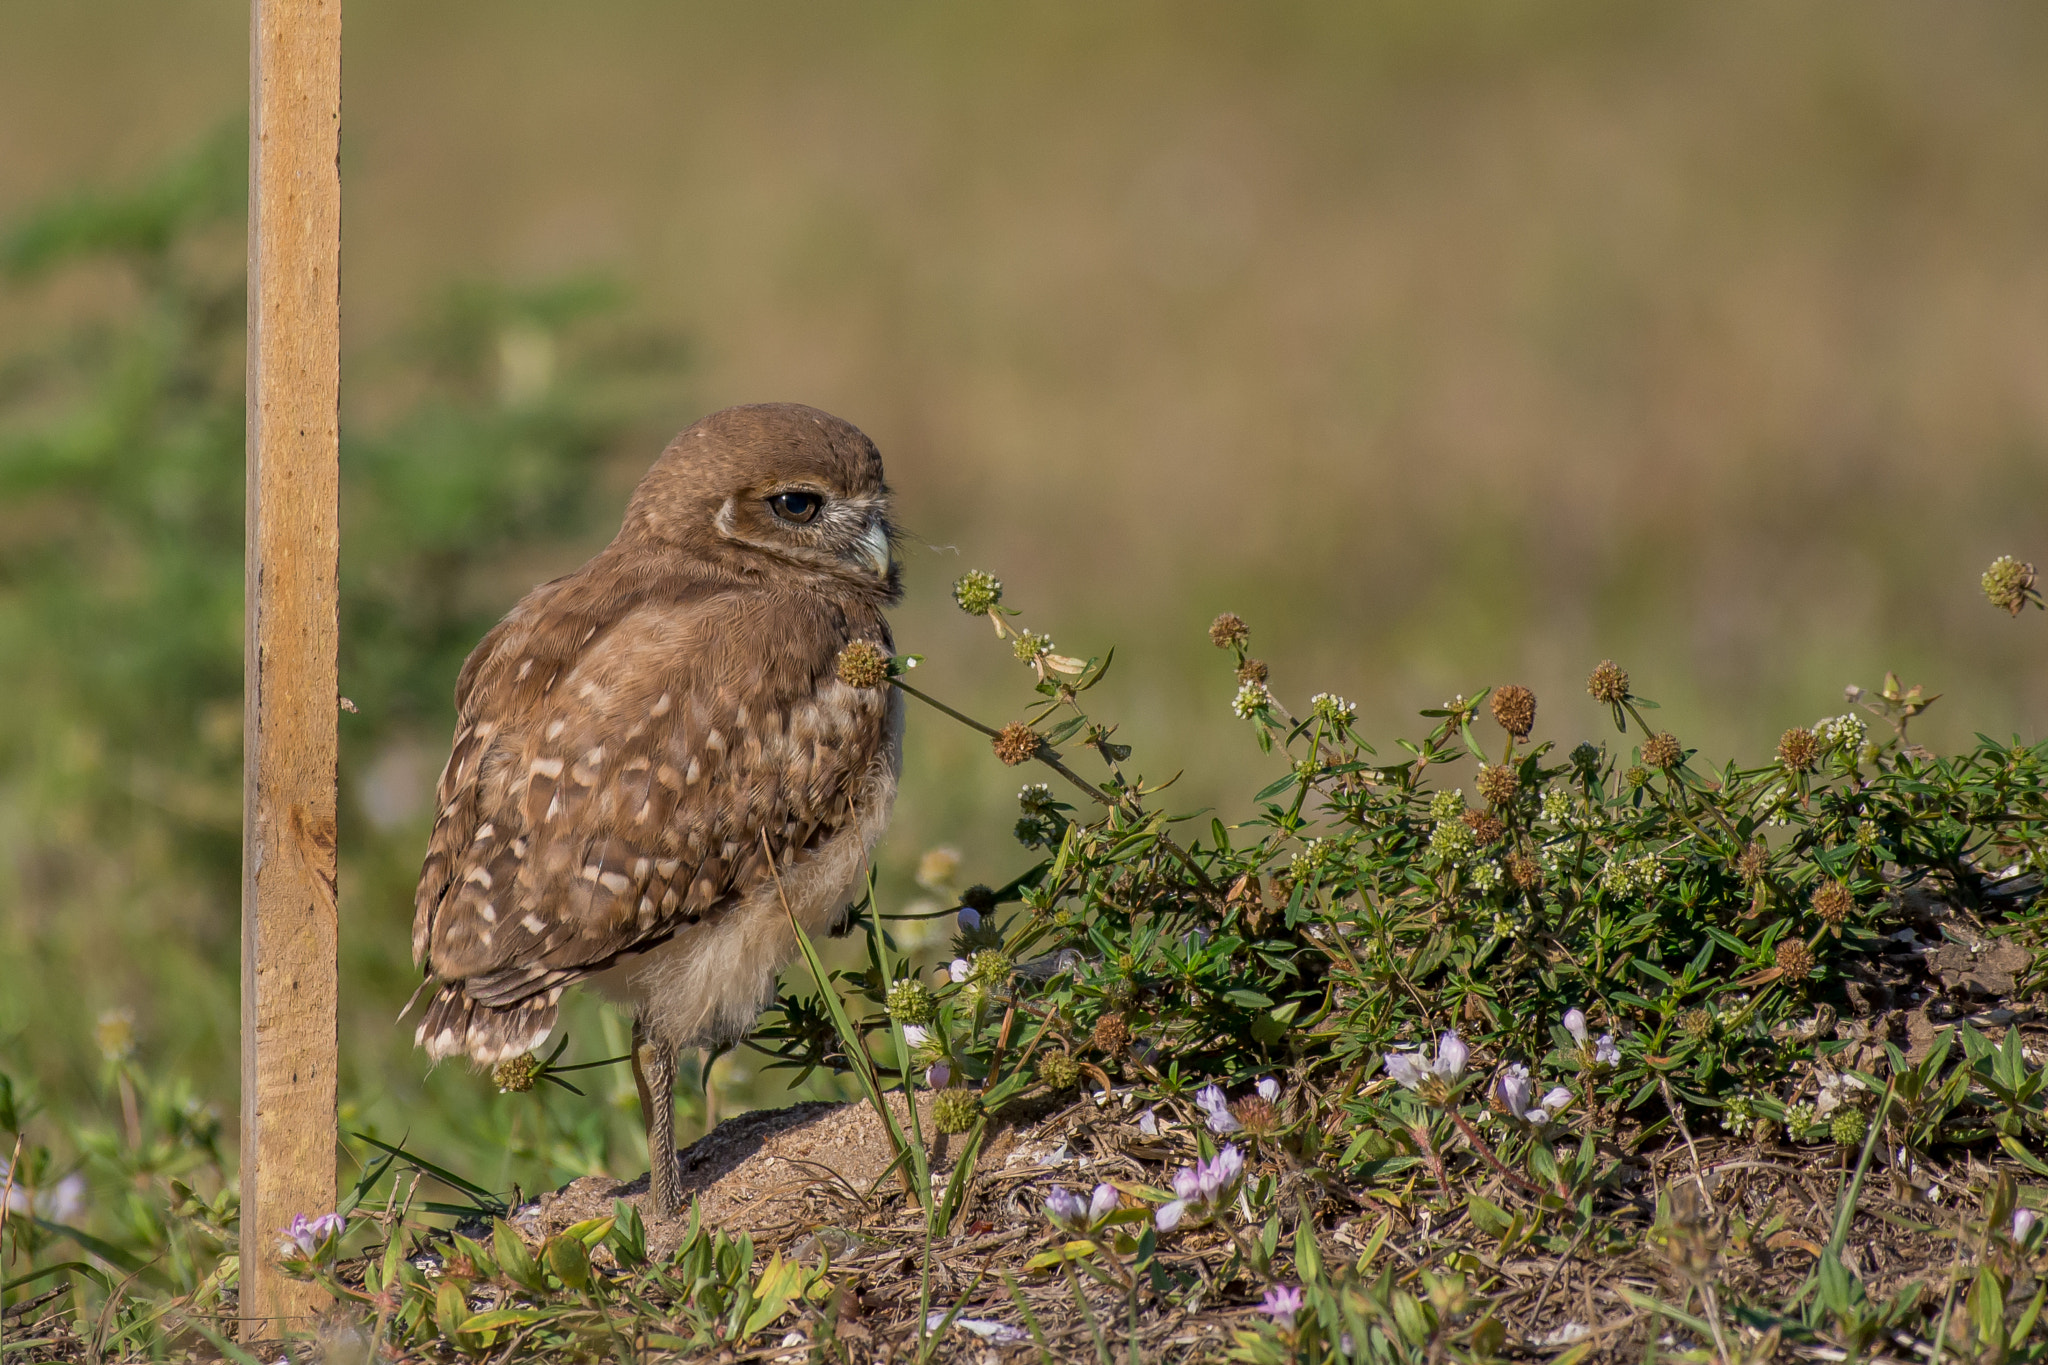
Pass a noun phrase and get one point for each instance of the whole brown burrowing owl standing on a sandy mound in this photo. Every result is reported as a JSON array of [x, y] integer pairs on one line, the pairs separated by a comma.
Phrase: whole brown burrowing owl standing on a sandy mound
[[636, 742]]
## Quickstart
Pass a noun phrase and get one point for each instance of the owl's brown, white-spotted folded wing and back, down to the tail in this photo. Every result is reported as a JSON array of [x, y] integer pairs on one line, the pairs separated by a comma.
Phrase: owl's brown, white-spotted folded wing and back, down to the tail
[[617, 770]]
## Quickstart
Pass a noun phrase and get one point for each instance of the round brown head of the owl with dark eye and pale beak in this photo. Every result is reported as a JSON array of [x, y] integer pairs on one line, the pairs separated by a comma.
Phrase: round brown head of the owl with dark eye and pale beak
[[771, 488]]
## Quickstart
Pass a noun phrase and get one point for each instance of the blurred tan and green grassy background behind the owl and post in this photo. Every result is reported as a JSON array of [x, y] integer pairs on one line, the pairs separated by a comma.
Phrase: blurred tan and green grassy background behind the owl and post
[[1447, 343]]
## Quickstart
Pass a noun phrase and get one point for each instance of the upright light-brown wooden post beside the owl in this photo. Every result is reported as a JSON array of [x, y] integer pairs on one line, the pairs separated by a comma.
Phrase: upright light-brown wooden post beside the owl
[[290, 648]]
